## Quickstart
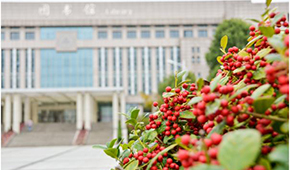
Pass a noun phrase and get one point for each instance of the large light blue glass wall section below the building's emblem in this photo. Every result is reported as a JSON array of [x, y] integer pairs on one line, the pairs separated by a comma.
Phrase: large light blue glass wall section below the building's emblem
[[66, 69]]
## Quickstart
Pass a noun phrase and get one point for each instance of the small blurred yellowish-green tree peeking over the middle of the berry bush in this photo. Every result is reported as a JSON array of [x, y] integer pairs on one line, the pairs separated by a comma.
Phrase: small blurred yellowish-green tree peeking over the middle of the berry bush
[[169, 81]]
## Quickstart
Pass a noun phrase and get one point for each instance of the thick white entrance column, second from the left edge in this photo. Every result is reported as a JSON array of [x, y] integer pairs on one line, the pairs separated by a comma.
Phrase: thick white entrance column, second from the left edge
[[16, 113]]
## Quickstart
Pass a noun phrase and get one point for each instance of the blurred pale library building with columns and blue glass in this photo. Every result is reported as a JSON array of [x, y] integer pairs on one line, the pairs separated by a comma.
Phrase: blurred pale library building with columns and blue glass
[[71, 67]]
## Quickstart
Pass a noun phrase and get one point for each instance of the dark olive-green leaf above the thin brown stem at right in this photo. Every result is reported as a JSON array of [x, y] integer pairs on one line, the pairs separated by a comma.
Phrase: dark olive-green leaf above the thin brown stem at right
[[263, 103]]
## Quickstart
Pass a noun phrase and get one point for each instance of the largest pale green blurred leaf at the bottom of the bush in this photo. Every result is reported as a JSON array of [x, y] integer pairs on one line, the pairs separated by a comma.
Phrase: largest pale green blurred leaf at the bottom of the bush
[[239, 149]]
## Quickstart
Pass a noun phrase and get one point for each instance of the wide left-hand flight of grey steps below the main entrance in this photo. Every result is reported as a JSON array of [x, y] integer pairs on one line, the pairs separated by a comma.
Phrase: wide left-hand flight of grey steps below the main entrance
[[45, 134]]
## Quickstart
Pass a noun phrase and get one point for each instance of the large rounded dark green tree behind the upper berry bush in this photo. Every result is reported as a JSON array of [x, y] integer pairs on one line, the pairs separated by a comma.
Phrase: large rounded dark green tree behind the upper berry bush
[[237, 31]]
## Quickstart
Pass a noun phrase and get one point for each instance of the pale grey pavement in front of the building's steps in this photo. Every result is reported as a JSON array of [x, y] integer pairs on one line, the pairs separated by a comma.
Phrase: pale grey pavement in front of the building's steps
[[55, 158]]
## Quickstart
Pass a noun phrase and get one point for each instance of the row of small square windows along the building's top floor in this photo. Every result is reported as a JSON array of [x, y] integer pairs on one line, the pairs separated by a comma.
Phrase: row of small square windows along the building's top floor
[[46, 35]]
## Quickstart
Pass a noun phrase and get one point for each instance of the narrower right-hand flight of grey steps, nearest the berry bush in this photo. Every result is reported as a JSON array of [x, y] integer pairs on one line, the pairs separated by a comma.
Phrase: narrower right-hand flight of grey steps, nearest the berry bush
[[101, 133]]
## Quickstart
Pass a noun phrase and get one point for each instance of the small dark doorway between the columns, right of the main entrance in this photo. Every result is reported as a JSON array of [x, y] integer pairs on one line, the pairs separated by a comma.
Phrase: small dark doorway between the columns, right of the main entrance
[[105, 112]]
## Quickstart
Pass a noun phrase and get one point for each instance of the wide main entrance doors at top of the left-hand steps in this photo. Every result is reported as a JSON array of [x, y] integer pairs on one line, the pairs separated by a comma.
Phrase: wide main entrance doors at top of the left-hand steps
[[57, 116]]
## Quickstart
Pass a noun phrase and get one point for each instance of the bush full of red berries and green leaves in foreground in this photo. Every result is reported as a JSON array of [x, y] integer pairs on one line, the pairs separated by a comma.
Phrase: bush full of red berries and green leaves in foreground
[[239, 121]]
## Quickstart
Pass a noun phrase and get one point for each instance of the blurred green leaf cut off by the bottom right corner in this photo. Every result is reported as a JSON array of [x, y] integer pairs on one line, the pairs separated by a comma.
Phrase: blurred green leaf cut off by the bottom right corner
[[280, 155]]
